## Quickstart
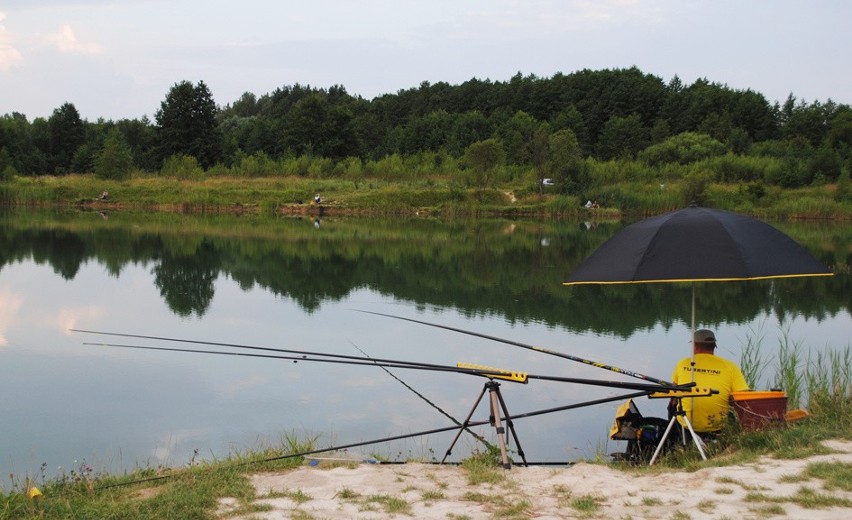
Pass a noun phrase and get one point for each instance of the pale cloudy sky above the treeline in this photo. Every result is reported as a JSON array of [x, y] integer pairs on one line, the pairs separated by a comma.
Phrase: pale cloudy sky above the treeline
[[117, 59]]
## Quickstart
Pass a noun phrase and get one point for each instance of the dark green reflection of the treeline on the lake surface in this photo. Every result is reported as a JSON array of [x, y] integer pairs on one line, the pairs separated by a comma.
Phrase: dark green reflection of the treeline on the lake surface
[[478, 267]]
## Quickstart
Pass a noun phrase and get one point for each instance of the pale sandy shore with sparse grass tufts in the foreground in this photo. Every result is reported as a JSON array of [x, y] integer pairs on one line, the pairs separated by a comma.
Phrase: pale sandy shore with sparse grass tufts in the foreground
[[764, 489]]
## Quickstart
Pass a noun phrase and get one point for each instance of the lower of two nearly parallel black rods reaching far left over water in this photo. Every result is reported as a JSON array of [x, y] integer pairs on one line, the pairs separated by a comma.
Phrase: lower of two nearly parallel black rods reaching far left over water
[[489, 372]]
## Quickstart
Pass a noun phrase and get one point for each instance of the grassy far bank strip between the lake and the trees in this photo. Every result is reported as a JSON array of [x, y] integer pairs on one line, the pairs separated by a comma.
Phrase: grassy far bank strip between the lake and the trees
[[428, 195]]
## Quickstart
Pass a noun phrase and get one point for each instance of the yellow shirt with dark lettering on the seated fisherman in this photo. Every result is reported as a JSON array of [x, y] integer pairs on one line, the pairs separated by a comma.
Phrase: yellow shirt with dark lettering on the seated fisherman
[[708, 414]]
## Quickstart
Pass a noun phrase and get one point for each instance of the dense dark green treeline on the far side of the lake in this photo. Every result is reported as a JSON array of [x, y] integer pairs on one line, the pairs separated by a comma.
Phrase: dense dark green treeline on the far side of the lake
[[569, 127]]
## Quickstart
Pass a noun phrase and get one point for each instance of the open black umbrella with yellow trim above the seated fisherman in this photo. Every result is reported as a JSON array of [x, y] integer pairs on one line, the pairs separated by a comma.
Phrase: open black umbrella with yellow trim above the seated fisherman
[[696, 244]]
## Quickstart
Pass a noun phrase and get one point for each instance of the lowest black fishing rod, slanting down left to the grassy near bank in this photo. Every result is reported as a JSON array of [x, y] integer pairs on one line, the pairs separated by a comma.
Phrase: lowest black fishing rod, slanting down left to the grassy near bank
[[526, 415]]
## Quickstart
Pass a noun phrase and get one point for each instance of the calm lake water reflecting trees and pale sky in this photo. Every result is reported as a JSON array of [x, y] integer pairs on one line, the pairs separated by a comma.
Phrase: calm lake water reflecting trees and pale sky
[[299, 284]]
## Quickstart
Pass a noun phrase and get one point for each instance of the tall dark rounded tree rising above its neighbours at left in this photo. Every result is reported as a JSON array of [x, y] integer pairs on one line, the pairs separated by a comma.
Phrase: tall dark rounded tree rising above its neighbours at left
[[187, 125]]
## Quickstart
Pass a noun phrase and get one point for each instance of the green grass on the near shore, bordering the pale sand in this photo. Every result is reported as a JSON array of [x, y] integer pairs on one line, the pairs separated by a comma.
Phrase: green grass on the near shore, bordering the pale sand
[[194, 491]]
